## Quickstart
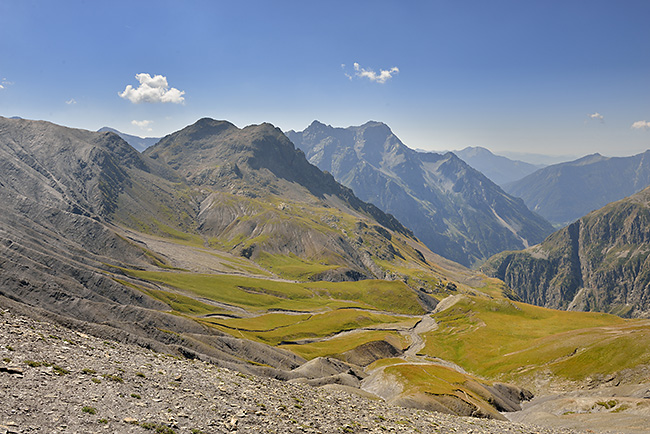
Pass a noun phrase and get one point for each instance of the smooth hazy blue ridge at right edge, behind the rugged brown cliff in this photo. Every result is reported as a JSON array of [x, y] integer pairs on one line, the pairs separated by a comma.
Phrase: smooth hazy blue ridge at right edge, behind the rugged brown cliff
[[565, 192]]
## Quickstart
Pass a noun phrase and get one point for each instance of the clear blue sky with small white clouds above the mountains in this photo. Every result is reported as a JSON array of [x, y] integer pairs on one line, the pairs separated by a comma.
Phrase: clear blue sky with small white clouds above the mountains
[[553, 77]]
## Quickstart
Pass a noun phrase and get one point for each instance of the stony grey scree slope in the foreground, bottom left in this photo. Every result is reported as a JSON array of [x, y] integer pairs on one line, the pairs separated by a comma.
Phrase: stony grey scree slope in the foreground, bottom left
[[53, 379]]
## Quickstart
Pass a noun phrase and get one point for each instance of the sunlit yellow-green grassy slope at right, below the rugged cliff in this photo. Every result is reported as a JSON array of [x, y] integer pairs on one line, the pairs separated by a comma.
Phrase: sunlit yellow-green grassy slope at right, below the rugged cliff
[[498, 338]]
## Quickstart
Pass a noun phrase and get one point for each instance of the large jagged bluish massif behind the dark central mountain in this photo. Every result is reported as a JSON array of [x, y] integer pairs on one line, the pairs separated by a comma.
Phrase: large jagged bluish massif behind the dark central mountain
[[454, 209]]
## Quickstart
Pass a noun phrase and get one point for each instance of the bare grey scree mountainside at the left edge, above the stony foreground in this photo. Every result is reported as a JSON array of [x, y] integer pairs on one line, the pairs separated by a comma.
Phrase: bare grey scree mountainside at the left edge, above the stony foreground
[[62, 189]]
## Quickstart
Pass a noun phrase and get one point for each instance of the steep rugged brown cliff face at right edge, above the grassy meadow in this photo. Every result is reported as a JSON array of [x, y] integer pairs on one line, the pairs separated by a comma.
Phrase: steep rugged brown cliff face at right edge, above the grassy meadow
[[598, 263]]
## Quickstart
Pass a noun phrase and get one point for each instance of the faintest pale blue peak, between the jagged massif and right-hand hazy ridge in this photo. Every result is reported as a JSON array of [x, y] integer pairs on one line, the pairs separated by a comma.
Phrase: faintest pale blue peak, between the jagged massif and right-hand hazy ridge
[[500, 170]]
